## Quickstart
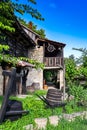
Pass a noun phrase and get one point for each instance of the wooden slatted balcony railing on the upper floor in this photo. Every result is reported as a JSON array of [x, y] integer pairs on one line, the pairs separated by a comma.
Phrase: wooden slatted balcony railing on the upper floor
[[53, 61]]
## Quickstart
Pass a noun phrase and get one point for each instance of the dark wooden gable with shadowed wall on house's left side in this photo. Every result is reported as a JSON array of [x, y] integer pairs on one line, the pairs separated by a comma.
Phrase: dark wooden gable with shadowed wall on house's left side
[[19, 41]]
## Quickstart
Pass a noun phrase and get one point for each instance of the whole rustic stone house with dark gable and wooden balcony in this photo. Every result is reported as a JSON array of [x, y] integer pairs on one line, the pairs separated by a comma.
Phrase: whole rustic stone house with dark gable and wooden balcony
[[25, 42]]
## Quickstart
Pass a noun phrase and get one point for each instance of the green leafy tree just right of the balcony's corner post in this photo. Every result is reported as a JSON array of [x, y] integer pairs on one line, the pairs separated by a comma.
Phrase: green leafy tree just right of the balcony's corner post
[[76, 68]]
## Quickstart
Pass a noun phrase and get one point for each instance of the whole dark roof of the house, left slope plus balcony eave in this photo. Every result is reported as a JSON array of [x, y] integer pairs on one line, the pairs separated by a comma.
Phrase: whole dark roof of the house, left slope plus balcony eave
[[25, 35]]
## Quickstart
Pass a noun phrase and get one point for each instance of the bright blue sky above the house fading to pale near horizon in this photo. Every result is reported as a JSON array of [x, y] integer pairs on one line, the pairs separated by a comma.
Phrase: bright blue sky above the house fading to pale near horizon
[[65, 21]]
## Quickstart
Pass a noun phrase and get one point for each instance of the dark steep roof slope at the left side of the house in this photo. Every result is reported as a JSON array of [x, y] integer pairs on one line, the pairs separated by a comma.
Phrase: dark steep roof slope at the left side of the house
[[20, 35]]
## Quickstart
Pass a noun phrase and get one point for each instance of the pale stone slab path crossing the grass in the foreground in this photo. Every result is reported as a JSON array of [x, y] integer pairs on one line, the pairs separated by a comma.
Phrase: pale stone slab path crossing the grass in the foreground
[[54, 120]]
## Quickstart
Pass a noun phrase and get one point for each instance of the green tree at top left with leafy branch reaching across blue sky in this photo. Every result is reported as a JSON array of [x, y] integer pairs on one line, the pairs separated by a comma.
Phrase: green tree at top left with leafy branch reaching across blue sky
[[8, 10]]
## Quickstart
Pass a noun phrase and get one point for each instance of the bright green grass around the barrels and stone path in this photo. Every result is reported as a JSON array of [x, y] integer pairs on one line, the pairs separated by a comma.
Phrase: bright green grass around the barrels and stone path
[[37, 109]]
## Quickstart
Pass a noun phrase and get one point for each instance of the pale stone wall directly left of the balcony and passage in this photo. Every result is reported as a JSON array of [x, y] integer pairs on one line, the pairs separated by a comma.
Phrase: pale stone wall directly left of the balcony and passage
[[35, 76]]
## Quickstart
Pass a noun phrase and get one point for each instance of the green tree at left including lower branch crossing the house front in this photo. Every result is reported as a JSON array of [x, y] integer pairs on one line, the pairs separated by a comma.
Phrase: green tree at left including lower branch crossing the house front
[[8, 10]]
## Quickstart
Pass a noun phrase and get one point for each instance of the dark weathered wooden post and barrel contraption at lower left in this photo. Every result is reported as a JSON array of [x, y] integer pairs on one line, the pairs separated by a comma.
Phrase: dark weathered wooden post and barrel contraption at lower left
[[7, 111]]
